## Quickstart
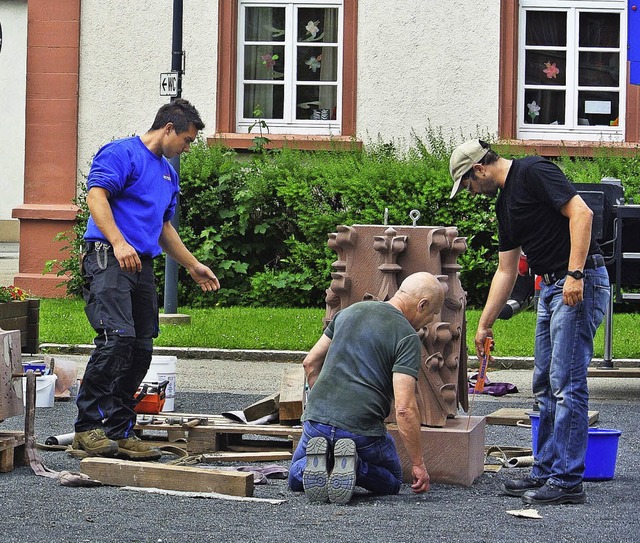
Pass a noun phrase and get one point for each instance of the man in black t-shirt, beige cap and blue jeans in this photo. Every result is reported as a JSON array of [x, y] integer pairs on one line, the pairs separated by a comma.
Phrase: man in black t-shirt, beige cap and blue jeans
[[541, 214]]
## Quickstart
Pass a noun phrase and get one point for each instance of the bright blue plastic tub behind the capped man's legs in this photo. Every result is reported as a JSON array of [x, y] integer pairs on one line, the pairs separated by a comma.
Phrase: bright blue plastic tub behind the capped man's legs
[[602, 450]]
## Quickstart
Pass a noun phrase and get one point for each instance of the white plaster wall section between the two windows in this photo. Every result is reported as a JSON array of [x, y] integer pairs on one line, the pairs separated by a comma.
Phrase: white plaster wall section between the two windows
[[428, 61]]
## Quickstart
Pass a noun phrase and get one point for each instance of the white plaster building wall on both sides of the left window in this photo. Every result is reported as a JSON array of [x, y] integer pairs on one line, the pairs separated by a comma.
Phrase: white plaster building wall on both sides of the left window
[[402, 47]]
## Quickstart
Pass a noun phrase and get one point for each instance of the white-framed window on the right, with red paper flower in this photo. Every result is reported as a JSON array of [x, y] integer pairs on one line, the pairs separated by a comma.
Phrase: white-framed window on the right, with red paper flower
[[572, 70]]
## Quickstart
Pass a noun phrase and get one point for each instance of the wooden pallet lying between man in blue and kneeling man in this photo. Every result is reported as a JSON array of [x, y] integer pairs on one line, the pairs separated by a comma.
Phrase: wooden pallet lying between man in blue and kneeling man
[[220, 434]]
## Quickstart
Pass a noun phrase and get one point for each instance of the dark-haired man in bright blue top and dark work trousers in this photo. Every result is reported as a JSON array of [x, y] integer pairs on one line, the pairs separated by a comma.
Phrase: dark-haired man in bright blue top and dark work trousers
[[132, 196]]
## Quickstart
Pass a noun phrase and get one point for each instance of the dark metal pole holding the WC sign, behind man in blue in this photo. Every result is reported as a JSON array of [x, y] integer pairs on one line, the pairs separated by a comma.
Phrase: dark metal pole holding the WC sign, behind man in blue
[[171, 266]]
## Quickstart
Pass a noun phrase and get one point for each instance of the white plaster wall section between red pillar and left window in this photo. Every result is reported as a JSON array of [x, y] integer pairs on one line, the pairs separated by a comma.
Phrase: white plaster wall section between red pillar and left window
[[124, 47]]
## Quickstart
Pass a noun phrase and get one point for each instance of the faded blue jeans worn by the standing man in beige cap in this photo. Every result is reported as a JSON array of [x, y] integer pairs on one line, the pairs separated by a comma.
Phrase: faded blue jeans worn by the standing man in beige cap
[[563, 351]]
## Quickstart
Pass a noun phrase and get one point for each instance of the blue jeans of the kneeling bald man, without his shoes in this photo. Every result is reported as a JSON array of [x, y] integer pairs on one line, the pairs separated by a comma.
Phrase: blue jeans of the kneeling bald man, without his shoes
[[378, 470]]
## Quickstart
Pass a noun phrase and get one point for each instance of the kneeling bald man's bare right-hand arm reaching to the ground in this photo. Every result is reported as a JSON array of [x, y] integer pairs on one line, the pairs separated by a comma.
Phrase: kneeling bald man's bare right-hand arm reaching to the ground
[[408, 419]]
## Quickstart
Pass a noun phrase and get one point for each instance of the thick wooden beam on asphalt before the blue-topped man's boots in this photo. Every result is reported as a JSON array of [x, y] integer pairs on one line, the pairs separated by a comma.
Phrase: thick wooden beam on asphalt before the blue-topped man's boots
[[110, 471]]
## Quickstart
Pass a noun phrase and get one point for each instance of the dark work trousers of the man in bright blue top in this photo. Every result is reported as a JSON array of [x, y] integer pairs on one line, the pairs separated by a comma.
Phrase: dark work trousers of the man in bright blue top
[[122, 308]]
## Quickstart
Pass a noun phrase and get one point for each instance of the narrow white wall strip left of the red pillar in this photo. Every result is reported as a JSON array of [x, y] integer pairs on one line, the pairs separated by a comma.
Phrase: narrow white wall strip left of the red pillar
[[13, 70]]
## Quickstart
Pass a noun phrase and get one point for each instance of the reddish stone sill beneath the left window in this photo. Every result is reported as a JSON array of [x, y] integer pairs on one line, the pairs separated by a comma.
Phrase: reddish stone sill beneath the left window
[[278, 141]]
